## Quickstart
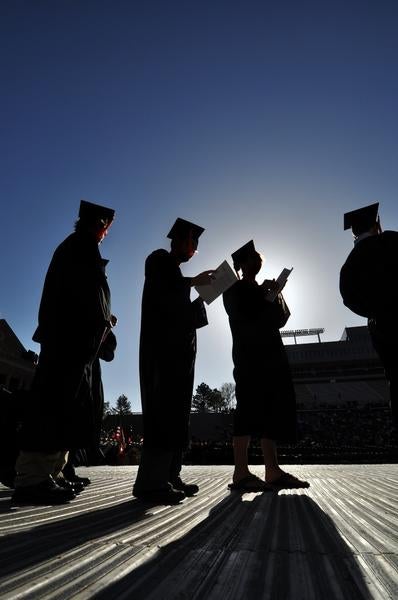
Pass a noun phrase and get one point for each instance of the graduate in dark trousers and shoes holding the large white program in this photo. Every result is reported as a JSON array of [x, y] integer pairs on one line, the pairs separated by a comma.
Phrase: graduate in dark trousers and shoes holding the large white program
[[167, 358]]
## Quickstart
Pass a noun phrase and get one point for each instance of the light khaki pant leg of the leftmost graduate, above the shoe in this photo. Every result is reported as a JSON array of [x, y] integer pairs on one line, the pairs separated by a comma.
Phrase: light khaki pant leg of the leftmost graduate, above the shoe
[[34, 467]]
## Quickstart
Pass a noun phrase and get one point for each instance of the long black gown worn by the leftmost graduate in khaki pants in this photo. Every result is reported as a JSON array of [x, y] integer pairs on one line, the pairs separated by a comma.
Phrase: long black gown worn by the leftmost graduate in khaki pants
[[66, 393]]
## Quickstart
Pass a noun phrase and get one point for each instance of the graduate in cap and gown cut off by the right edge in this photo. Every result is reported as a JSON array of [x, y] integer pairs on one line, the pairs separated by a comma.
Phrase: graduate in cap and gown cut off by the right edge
[[369, 287]]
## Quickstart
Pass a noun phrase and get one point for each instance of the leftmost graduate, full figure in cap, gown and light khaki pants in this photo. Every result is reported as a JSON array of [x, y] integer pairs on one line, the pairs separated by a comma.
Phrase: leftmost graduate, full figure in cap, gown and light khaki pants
[[74, 316]]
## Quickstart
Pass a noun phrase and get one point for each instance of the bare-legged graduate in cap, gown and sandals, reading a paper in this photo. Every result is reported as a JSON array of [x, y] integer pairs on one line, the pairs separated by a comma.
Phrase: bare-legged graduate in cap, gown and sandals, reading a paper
[[266, 406]]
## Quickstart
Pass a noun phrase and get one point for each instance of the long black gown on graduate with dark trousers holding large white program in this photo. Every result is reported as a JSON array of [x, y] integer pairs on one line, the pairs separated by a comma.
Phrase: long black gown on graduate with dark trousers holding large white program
[[167, 352]]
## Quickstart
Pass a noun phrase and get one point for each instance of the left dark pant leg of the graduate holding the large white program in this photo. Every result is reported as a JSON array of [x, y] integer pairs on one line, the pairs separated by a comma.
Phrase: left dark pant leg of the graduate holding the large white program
[[154, 469]]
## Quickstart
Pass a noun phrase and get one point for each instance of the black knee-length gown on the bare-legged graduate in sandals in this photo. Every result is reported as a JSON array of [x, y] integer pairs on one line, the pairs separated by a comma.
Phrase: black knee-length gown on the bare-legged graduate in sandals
[[264, 389]]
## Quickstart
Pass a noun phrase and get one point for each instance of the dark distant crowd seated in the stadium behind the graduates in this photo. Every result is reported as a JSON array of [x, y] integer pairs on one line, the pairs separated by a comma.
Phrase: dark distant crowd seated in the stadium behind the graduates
[[338, 434]]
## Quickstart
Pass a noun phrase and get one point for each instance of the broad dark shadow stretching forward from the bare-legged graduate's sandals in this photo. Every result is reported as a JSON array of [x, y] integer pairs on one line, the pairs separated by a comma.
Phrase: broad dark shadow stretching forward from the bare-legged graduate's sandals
[[270, 546]]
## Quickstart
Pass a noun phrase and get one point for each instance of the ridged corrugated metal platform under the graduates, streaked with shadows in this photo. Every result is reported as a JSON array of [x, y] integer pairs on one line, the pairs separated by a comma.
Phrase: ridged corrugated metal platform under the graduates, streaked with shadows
[[336, 540]]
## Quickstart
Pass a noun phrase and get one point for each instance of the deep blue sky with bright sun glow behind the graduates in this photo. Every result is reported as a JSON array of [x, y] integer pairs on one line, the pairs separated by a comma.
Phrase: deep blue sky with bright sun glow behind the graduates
[[253, 119]]
